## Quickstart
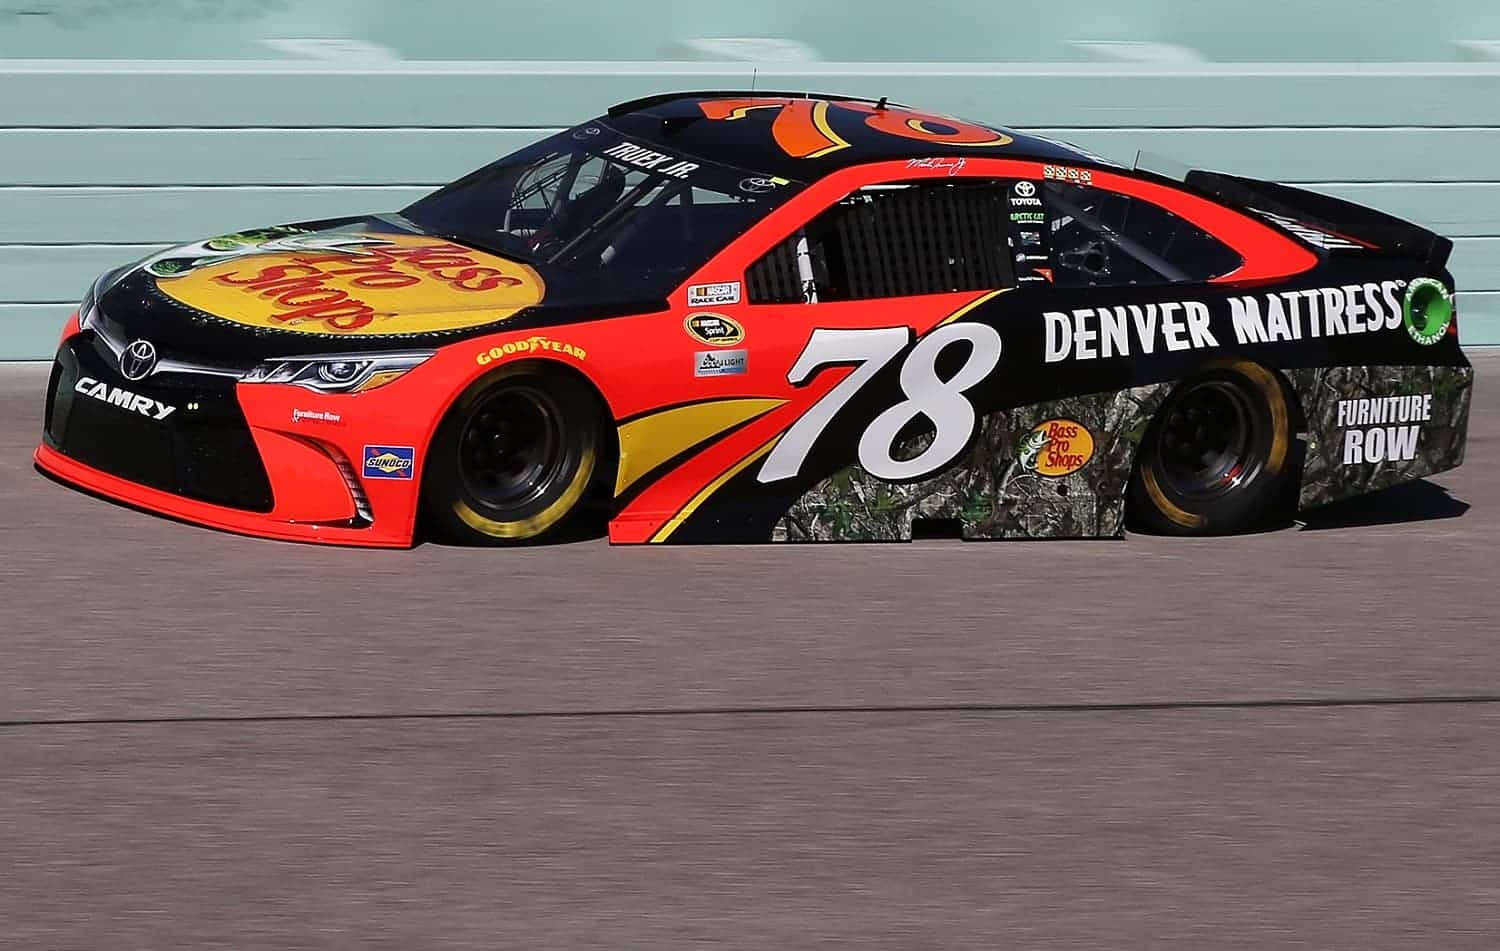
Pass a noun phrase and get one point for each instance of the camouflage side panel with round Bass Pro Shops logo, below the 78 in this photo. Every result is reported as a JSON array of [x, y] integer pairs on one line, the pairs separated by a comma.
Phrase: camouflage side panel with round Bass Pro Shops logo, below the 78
[[1000, 488]]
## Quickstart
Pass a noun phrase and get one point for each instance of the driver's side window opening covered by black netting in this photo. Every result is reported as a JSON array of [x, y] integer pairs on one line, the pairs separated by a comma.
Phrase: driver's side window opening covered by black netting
[[893, 241]]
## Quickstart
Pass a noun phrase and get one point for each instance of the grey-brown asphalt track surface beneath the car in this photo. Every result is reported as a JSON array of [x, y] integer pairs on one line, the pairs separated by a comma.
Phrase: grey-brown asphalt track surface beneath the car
[[1288, 740]]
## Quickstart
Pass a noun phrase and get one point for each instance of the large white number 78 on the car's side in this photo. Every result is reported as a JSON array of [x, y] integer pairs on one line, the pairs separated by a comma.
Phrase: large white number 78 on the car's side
[[941, 401]]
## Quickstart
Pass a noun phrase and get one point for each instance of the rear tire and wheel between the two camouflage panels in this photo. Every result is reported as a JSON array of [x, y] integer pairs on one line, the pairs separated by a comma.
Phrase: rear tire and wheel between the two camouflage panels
[[1217, 457]]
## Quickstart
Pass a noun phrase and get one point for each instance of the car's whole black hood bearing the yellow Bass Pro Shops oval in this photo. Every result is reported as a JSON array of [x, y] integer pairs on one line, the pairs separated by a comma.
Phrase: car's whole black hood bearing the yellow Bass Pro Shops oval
[[338, 286]]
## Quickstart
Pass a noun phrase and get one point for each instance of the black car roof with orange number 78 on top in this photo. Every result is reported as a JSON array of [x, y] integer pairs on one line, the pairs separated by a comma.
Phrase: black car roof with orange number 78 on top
[[677, 124]]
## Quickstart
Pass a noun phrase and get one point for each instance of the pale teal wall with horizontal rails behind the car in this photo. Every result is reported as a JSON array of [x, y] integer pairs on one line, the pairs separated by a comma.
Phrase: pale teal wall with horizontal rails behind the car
[[104, 161]]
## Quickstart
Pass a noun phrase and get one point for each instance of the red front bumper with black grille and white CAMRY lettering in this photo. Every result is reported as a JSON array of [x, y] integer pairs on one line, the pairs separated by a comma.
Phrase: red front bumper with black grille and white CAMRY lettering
[[259, 460]]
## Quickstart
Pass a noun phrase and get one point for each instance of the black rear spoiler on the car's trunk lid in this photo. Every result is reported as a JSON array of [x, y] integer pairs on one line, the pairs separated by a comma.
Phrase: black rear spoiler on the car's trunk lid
[[1330, 223]]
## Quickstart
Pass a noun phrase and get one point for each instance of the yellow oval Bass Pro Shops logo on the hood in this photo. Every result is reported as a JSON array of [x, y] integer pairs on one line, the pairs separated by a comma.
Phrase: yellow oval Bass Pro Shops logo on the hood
[[356, 286]]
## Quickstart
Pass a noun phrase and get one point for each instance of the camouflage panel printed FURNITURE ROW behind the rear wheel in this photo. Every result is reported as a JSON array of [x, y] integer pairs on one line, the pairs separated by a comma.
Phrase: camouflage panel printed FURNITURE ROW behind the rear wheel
[[1379, 442]]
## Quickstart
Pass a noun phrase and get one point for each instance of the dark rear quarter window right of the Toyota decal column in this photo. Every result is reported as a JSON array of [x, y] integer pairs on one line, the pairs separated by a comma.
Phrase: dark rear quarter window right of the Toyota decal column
[[1106, 239]]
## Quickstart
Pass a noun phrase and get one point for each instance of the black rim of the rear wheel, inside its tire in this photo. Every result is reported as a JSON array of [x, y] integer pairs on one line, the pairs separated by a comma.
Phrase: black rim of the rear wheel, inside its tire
[[1207, 446]]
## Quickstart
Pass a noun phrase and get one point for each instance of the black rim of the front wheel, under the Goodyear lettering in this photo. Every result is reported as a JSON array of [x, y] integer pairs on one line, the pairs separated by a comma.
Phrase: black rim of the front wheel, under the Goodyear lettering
[[512, 449]]
